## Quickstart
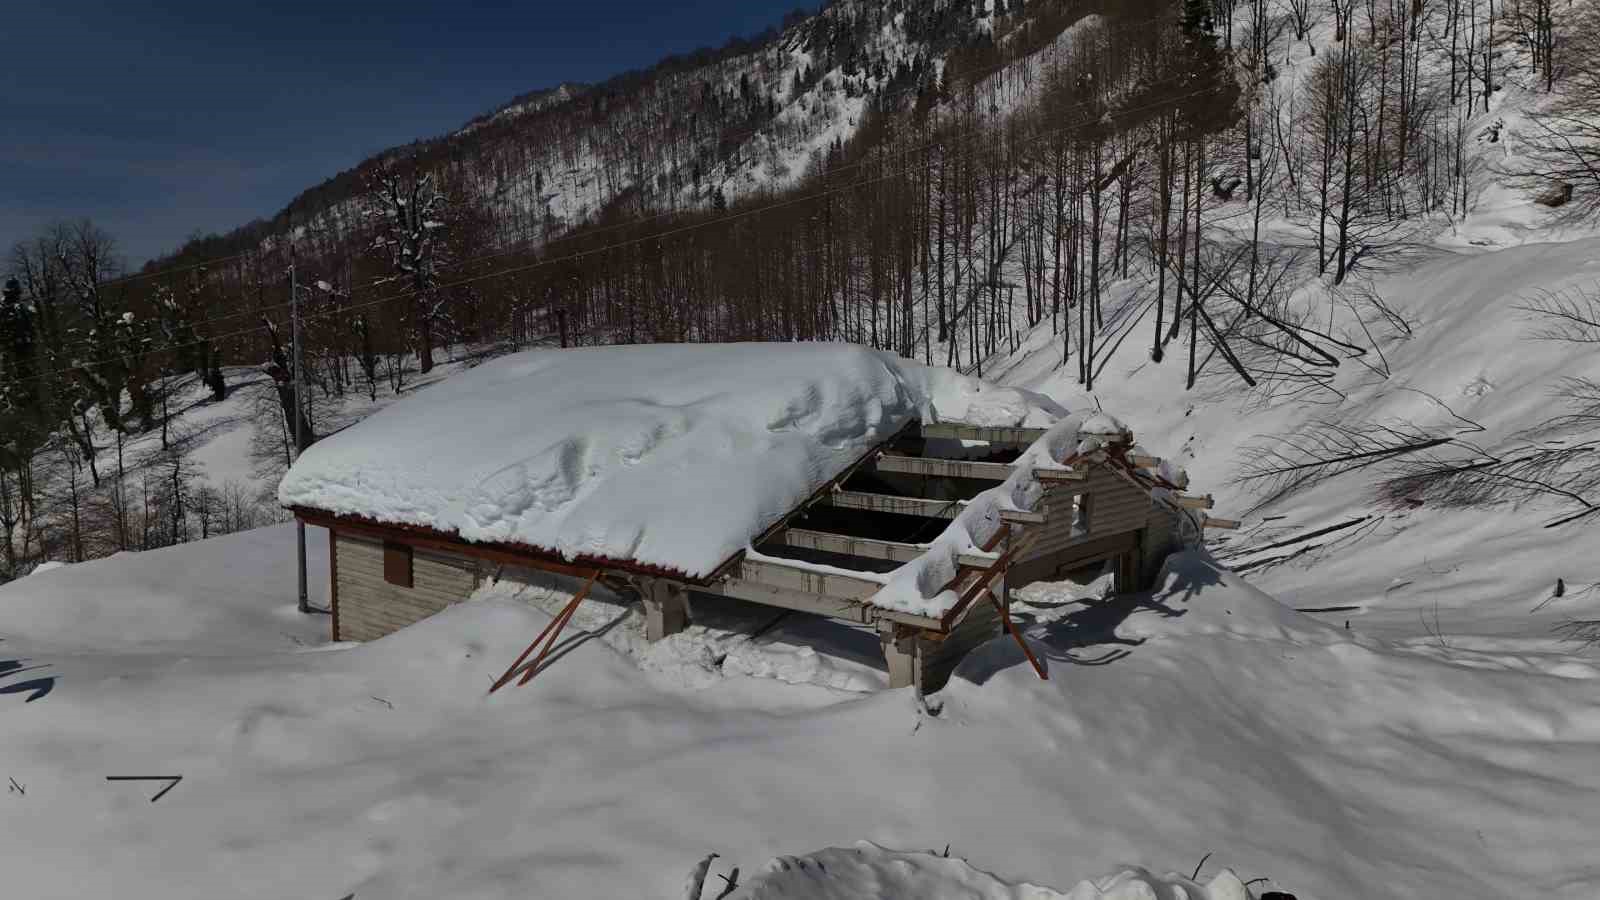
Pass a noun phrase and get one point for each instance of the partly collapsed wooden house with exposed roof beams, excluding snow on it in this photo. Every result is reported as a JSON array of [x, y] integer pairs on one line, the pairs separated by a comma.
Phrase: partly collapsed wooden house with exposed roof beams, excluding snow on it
[[831, 553]]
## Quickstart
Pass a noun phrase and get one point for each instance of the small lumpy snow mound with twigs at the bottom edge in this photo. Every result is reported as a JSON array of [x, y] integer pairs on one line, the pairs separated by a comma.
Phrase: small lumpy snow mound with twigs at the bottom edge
[[868, 872]]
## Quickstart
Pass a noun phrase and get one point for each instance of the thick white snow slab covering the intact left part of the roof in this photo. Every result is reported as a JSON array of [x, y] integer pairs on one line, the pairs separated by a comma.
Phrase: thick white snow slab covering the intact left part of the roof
[[670, 456]]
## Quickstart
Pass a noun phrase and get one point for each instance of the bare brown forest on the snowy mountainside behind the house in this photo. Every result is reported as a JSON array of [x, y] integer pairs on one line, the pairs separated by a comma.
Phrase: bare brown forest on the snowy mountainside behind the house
[[1146, 177]]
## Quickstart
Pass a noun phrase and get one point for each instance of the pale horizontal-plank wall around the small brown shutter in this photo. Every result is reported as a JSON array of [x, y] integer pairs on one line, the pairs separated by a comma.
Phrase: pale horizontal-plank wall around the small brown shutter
[[370, 608]]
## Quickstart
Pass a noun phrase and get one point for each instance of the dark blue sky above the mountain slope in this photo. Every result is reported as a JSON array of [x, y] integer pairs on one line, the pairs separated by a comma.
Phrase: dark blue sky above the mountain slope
[[164, 119]]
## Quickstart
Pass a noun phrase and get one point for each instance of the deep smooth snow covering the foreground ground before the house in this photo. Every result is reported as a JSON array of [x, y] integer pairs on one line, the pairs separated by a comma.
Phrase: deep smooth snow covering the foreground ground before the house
[[1204, 720]]
